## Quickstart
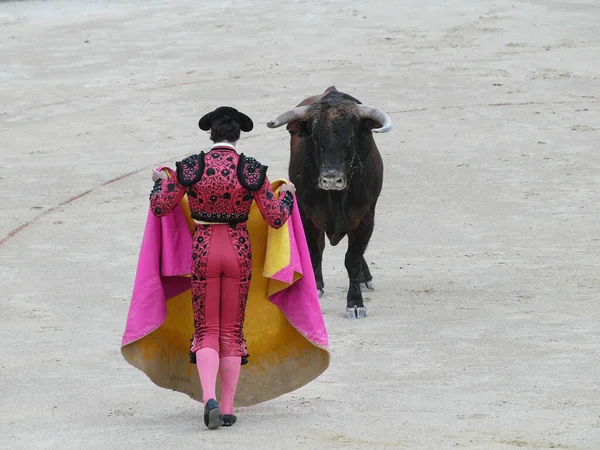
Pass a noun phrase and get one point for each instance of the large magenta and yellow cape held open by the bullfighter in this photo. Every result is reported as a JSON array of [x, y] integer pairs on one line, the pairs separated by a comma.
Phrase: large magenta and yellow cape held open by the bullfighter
[[297, 349]]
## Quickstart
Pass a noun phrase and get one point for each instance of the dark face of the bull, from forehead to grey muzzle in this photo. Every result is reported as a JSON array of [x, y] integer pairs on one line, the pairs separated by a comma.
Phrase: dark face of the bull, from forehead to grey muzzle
[[333, 137]]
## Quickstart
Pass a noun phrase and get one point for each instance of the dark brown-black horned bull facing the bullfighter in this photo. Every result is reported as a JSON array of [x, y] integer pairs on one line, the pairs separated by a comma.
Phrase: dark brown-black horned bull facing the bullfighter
[[338, 173]]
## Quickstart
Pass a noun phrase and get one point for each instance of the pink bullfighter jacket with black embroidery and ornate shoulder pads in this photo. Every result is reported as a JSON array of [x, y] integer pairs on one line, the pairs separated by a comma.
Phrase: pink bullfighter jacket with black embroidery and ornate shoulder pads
[[221, 186]]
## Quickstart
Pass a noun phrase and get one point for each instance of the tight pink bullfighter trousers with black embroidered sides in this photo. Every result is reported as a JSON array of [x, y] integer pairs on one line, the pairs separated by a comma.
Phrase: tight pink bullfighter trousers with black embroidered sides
[[221, 272]]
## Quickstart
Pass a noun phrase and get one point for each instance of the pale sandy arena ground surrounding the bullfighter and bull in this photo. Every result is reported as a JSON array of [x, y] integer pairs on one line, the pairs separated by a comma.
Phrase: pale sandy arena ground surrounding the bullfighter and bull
[[484, 329]]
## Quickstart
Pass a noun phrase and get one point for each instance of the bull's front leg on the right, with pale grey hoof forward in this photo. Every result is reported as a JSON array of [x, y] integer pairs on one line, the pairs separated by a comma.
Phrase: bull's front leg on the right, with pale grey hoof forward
[[358, 239]]
